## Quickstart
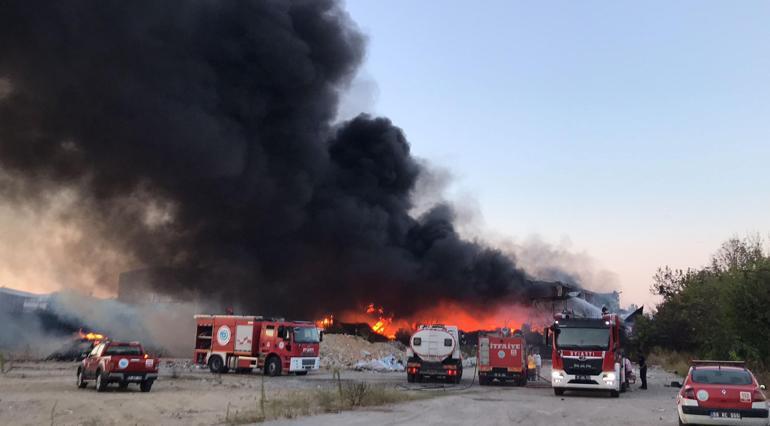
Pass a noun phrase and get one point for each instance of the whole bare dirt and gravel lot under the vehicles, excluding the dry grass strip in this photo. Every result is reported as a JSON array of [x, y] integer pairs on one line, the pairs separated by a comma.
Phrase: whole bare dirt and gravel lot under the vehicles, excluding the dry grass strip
[[45, 393]]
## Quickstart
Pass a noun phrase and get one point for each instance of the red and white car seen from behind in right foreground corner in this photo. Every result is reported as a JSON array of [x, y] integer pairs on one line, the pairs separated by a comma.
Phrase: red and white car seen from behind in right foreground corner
[[721, 393]]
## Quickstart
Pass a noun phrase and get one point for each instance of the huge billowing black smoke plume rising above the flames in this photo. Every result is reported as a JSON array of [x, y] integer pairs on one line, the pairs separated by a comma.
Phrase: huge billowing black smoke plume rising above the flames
[[199, 135]]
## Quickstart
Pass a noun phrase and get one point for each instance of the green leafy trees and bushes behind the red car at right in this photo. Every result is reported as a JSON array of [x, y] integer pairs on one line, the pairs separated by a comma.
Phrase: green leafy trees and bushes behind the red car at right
[[721, 311]]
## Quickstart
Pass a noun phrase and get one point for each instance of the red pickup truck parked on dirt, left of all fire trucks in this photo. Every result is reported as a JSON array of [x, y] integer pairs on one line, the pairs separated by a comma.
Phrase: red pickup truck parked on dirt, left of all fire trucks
[[118, 362]]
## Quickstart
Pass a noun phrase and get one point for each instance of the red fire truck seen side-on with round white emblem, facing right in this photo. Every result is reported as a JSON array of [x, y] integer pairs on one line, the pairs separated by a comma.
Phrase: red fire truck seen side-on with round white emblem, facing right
[[243, 343]]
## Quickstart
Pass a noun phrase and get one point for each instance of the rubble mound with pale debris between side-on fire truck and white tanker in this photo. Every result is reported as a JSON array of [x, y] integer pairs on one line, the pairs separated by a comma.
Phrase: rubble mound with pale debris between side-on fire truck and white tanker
[[353, 352]]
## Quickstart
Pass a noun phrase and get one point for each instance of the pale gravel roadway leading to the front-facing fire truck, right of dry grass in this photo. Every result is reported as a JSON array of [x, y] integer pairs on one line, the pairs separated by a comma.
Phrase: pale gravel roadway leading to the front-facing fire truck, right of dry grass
[[533, 405]]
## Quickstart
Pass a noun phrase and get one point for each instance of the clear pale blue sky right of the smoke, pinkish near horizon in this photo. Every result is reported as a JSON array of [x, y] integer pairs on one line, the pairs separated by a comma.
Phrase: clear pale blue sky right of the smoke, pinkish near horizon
[[637, 131]]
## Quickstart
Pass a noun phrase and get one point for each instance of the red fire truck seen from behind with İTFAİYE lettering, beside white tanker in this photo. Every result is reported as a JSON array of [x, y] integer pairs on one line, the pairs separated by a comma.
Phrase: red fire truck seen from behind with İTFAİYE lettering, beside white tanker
[[502, 357]]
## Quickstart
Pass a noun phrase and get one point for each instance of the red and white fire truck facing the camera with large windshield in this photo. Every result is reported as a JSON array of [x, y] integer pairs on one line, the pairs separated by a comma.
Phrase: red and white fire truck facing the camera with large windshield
[[587, 354]]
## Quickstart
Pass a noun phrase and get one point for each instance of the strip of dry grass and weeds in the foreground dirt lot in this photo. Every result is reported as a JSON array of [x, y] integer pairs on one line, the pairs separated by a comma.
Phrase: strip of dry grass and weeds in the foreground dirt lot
[[306, 402]]
